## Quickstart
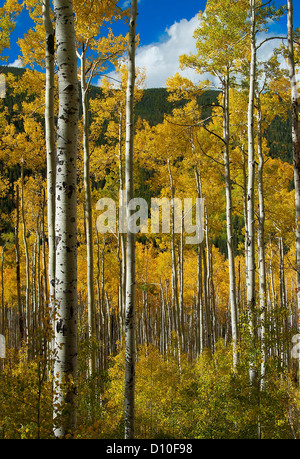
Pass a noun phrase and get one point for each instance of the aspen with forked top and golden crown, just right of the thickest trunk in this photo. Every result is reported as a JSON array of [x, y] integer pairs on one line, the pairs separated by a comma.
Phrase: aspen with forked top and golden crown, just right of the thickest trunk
[[91, 17]]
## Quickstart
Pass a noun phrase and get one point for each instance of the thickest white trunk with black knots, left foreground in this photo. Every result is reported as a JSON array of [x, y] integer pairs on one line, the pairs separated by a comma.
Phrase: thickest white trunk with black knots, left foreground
[[65, 367]]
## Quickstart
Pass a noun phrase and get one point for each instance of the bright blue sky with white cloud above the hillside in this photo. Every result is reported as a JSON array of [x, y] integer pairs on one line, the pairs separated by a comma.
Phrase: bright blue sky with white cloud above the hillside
[[166, 31]]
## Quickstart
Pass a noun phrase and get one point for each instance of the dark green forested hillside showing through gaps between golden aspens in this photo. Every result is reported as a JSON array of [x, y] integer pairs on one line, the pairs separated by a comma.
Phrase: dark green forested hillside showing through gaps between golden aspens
[[152, 107]]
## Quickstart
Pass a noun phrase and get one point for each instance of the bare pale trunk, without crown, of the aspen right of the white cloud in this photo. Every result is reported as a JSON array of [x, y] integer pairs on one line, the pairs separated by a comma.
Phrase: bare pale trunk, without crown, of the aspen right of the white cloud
[[231, 262]]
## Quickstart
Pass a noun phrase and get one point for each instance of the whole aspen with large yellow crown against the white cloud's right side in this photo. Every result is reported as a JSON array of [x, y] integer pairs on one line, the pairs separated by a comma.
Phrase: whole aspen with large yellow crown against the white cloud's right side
[[222, 22]]
